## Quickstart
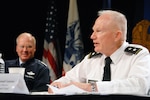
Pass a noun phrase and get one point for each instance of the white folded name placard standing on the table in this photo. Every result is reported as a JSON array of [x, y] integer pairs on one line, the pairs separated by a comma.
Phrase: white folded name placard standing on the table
[[13, 83]]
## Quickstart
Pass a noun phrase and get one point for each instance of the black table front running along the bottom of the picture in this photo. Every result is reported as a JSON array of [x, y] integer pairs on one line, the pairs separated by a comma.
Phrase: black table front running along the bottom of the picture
[[15, 96]]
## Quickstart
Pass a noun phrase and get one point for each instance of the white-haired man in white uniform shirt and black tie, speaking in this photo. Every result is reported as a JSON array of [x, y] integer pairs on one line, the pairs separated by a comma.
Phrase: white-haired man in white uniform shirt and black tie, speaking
[[129, 64]]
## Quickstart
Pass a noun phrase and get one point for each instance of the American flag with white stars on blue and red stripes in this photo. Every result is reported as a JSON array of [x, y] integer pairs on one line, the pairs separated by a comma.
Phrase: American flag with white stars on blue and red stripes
[[50, 56]]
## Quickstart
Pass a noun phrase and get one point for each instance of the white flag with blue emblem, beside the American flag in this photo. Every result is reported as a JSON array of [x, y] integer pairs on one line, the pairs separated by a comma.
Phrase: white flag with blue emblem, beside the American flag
[[74, 45]]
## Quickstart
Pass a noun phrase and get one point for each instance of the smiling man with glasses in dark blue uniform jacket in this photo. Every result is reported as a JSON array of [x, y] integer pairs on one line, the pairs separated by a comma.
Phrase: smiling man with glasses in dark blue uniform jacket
[[36, 72]]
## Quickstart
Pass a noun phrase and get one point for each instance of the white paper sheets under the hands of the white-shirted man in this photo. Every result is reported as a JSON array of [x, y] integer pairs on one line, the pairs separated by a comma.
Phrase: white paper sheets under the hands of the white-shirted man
[[69, 90]]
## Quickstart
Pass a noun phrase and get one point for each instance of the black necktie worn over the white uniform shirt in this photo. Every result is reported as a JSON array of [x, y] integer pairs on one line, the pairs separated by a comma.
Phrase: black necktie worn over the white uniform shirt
[[107, 72]]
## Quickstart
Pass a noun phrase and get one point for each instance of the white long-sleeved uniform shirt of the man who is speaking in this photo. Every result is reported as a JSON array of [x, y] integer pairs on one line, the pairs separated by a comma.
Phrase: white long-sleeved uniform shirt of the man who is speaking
[[130, 73]]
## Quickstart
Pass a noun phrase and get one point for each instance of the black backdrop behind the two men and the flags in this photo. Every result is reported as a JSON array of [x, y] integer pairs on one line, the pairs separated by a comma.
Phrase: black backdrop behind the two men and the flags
[[30, 15]]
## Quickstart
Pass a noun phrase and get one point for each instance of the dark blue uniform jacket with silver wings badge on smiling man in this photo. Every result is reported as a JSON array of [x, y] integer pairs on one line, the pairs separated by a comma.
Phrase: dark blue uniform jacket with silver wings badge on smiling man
[[36, 74]]
